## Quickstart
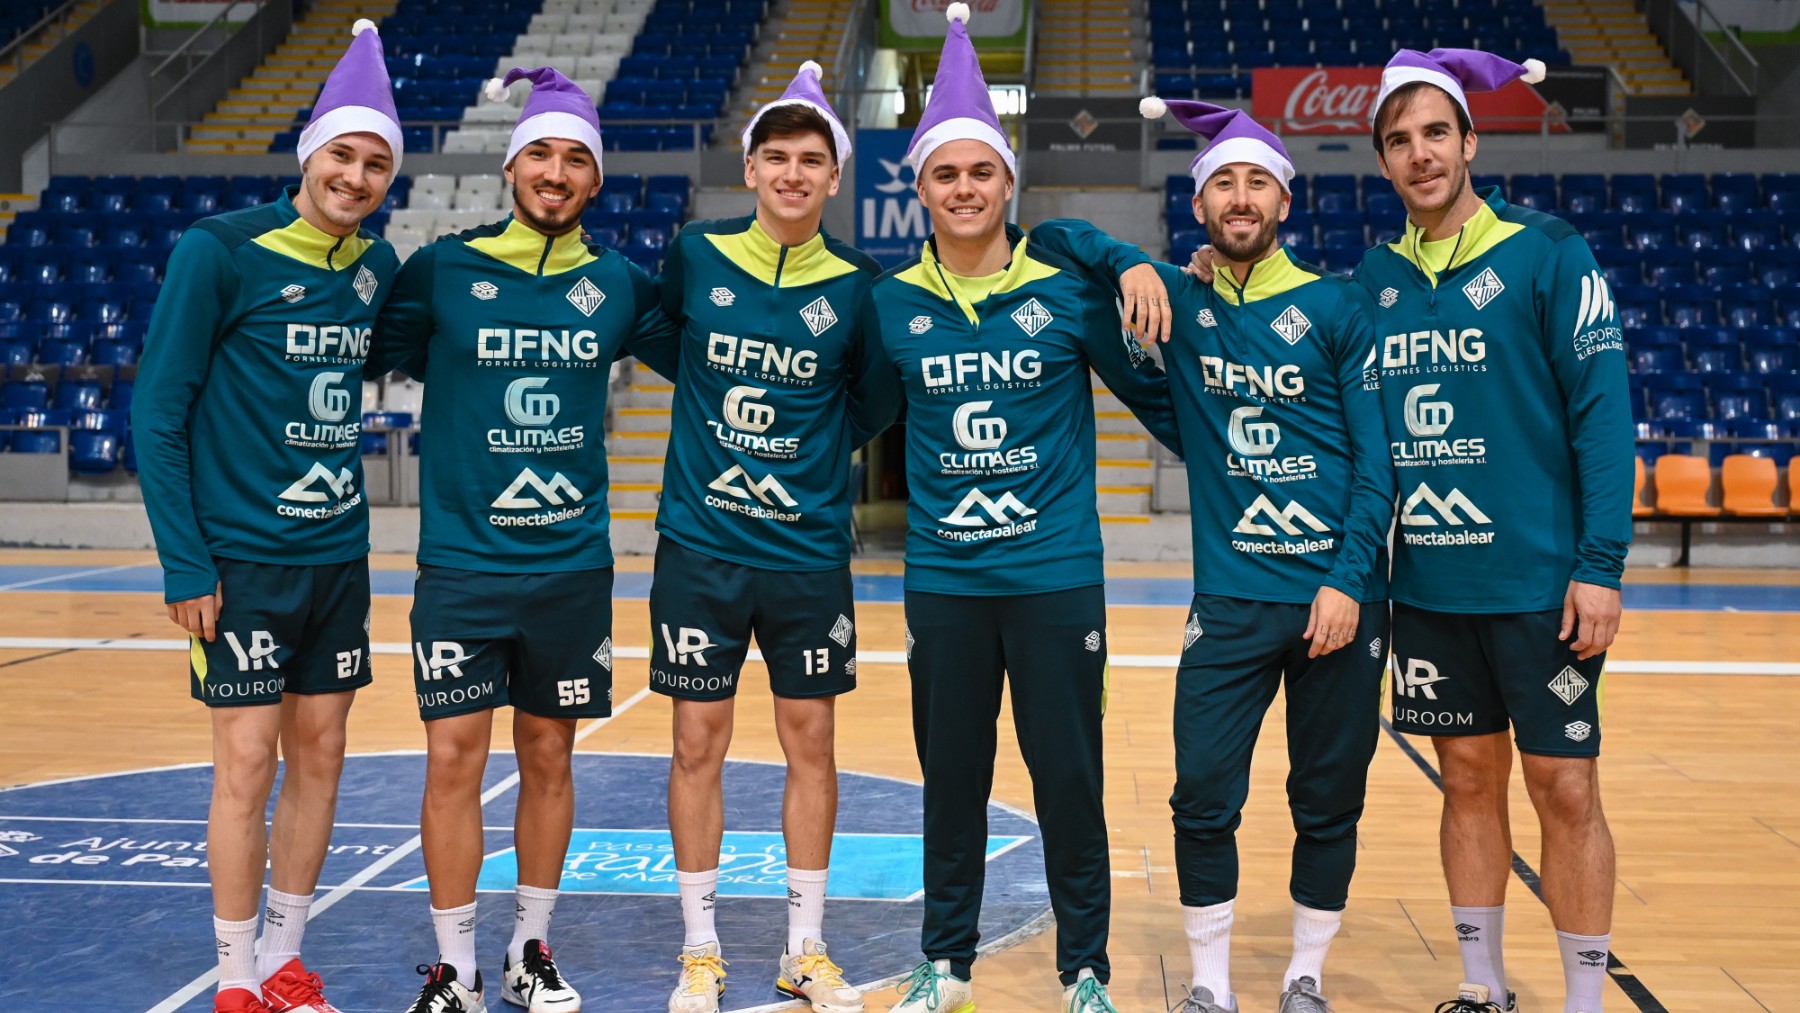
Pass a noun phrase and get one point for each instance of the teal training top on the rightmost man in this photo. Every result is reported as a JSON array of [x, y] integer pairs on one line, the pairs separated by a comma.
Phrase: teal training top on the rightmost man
[[1504, 381]]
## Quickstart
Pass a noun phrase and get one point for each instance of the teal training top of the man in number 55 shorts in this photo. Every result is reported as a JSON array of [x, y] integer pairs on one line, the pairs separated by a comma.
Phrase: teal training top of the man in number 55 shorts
[[514, 336]]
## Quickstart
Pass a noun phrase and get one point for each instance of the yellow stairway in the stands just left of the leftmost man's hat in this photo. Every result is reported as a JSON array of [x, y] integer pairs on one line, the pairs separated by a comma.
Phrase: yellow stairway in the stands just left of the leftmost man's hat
[[264, 103]]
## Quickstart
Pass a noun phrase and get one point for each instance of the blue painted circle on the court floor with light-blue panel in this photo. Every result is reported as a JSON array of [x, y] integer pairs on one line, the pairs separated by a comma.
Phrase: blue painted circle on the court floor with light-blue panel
[[109, 875]]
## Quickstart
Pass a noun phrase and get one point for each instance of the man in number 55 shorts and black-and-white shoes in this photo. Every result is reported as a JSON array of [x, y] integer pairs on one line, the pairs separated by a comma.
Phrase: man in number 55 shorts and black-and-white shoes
[[514, 328]]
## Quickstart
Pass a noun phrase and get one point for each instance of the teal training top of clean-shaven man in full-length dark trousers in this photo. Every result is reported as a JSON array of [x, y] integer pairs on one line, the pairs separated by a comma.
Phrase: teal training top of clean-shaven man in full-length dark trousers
[[1000, 426]]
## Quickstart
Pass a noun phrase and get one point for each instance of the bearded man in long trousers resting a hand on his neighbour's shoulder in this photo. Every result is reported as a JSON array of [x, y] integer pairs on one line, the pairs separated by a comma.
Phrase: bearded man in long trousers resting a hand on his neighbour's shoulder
[[1295, 595]]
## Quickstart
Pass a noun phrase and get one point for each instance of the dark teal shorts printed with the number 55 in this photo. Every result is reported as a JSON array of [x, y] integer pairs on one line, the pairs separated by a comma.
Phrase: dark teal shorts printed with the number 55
[[537, 641]]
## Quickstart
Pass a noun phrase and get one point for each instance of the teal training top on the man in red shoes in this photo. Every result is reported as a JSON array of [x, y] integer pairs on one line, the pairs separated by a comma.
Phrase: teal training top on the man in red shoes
[[247, 415]]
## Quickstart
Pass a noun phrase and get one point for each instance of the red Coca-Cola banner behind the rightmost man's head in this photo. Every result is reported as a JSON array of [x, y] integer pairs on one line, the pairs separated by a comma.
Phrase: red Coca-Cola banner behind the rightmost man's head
[[1342, 100]]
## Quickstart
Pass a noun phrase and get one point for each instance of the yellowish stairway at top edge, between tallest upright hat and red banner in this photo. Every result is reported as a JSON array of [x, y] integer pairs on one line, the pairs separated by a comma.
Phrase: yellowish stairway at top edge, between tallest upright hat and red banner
[[1090, 48]]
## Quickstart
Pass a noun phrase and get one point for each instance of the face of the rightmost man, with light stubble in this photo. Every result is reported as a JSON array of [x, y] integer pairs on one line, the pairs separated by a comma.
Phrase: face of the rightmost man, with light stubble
[[1425, 145]]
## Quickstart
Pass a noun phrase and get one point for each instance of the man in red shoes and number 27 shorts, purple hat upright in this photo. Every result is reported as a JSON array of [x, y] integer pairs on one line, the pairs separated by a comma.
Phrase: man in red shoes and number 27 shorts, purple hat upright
[[265, 541]]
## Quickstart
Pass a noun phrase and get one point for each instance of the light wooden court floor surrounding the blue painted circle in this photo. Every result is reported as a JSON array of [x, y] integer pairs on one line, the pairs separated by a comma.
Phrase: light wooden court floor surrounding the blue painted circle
[[1702, 778]]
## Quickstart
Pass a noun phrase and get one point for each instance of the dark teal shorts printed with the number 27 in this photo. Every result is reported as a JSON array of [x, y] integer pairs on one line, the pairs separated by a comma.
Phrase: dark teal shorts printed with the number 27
[[283, 631]]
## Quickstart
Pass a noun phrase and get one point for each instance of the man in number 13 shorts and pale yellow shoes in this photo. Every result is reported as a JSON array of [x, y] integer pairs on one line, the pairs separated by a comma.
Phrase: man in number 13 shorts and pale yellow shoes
[[755, 523]]
